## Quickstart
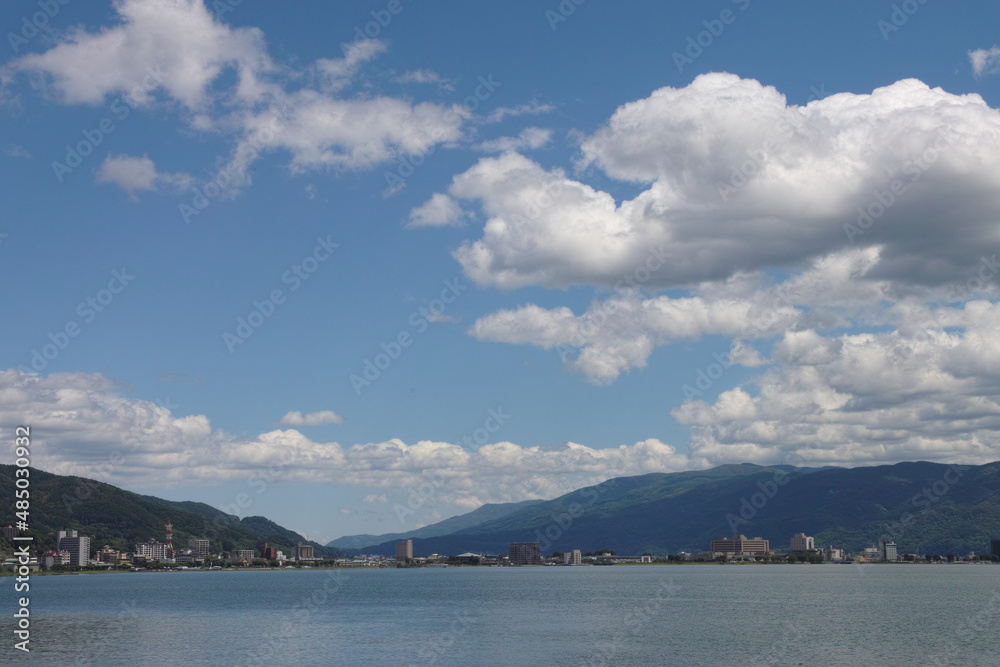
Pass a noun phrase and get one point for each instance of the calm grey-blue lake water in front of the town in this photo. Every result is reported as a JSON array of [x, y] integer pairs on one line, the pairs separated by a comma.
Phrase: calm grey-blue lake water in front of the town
[[648, 615]]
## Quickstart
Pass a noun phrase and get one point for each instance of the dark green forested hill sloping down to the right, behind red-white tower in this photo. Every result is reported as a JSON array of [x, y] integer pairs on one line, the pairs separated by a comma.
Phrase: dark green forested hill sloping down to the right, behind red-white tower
[[113, 516]]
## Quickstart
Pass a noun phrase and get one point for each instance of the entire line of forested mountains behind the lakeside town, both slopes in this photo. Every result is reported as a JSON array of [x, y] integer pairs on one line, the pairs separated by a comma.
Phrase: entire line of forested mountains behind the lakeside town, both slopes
[[928, 508]]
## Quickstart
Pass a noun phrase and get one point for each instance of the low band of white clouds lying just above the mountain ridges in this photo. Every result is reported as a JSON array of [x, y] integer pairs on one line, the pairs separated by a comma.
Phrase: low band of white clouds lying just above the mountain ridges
[[813, 412]]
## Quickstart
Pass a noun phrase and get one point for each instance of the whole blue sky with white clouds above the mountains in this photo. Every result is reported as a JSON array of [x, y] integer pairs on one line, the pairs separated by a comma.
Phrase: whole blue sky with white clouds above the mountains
[[877, 357]]
